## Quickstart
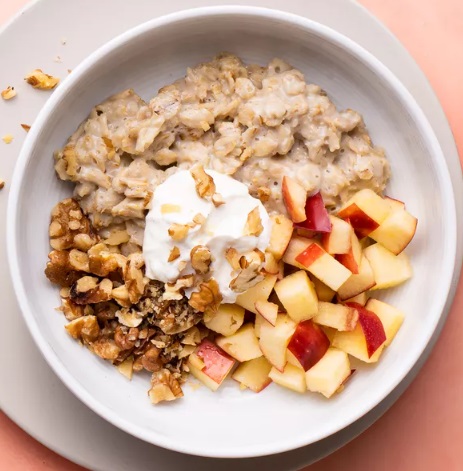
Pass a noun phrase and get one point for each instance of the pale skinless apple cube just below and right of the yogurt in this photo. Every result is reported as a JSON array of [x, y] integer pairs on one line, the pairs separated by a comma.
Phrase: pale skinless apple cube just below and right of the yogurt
[[297, 294]]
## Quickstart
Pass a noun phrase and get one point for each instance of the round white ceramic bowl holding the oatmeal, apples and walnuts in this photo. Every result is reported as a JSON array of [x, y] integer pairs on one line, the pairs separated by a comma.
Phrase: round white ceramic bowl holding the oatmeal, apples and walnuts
[[231, 423]]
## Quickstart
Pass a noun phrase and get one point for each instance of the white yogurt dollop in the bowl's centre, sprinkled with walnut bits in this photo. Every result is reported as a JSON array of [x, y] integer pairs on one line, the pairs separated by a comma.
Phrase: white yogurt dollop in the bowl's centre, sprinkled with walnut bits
[[176, 201]]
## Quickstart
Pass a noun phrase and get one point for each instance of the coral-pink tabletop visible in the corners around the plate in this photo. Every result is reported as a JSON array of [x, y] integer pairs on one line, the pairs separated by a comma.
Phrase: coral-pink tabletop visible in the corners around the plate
[[423, 429]]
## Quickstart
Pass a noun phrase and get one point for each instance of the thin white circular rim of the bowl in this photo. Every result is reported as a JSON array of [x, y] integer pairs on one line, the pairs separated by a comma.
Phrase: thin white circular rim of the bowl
[[350, 47]]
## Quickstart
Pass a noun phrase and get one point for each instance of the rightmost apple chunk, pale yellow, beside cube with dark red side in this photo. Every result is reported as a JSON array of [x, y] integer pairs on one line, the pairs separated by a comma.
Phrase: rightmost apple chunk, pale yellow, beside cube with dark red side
[[396, 231]]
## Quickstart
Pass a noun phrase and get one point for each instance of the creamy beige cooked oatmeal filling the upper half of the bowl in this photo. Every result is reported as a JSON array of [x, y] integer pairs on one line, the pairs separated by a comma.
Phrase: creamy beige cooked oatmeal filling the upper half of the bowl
[[253, 123]]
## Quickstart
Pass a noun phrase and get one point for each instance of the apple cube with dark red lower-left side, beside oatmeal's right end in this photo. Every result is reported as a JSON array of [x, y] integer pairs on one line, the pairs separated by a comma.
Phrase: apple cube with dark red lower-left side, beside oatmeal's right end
[[366, 211]]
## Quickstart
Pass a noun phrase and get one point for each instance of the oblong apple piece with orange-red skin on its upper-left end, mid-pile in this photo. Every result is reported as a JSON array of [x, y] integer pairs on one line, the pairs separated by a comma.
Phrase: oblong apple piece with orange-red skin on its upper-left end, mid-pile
[[325, 267]]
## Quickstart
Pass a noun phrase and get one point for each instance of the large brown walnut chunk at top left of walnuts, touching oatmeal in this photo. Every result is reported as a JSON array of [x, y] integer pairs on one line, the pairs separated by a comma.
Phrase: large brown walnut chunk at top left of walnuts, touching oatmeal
[[67, 223]]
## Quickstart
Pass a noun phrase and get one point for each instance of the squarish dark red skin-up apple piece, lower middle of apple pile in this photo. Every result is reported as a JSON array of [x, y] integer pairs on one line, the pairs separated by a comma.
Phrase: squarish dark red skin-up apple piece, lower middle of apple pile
[[308, 344]]
